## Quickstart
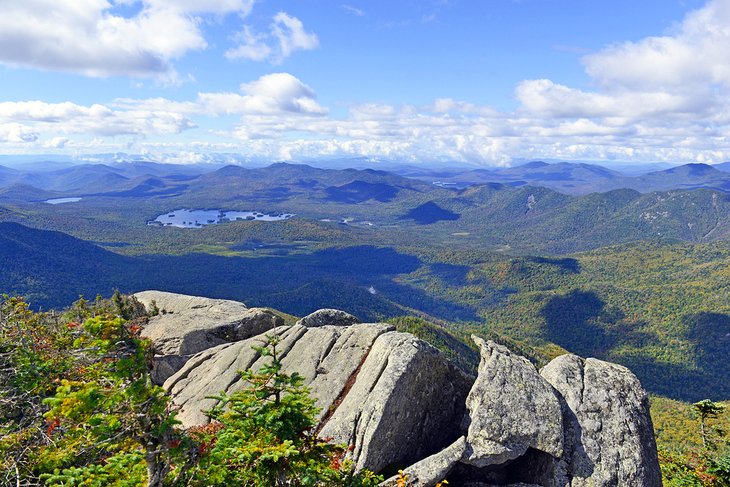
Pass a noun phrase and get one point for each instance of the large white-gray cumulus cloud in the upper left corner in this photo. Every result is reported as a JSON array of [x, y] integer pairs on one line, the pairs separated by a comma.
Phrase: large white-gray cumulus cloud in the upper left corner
[[87, 36]]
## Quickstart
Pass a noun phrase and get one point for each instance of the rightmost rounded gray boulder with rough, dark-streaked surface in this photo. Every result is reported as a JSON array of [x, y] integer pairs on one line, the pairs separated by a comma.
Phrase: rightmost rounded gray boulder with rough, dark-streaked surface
[[609, 437]]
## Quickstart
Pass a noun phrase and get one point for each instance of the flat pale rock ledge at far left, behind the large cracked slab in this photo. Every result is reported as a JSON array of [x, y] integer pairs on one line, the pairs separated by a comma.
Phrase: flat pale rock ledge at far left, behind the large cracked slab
[[186, 325]]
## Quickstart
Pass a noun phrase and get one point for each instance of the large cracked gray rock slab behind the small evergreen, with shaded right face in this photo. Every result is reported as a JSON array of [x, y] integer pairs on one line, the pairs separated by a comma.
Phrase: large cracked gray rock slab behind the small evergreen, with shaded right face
[[393, 397]]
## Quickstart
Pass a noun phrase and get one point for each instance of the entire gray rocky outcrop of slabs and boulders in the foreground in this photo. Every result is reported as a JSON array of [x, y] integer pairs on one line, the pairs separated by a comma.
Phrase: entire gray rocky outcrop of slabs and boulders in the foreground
[[397, 401]]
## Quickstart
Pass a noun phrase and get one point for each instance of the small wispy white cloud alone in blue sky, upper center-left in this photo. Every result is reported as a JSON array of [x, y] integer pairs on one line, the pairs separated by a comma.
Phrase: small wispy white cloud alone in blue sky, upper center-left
[[286, 35]]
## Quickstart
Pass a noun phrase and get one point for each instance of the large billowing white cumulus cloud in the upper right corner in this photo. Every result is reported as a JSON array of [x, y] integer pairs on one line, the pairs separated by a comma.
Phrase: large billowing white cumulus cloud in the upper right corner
[[674, 76]]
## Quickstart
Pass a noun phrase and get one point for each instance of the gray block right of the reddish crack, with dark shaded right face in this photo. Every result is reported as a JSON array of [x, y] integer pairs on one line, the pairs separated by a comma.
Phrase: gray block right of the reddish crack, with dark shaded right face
[[406, 403]]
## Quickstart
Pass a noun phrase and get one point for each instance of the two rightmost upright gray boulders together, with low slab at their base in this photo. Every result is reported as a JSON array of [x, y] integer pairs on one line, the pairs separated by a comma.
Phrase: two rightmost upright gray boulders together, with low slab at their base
[[577, 423]]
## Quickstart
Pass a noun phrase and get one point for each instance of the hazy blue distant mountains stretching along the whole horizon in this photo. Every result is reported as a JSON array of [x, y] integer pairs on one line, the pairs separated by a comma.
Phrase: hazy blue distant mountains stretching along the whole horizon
[[282, 181]]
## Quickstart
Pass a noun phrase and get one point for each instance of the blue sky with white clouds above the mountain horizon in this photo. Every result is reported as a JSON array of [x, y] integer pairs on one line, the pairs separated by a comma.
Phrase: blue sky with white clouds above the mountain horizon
[[482, 82]]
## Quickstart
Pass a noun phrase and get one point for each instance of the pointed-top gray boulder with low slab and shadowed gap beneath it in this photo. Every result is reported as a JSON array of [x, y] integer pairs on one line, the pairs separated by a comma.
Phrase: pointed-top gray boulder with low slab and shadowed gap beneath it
[[513, 428]]
